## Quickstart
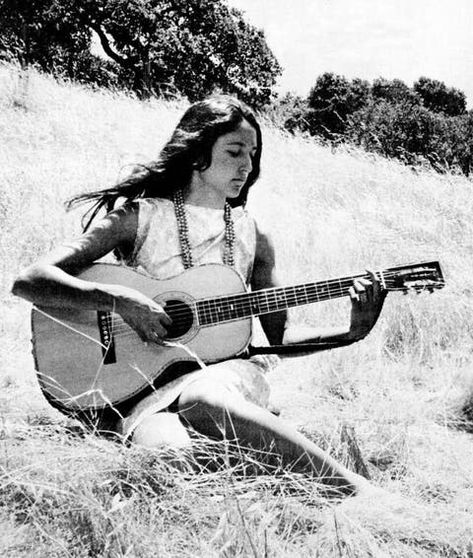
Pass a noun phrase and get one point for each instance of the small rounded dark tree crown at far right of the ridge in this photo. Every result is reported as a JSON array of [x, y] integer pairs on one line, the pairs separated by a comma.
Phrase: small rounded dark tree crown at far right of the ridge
[[437, 97]]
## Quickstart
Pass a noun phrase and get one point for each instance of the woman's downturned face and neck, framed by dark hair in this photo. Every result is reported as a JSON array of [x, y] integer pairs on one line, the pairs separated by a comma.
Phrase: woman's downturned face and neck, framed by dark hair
[[231, 163]]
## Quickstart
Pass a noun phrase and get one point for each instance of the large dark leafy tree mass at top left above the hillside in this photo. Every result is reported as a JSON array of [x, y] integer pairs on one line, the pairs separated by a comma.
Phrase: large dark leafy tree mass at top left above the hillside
[[193, 46]]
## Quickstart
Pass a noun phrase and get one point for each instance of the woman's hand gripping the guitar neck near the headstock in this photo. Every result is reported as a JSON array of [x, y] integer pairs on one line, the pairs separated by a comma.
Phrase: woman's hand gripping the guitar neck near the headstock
[[367, 298]]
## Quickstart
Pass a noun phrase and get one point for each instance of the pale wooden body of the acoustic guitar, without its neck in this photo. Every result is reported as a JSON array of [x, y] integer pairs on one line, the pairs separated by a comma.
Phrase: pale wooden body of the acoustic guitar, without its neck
[[90, 360]]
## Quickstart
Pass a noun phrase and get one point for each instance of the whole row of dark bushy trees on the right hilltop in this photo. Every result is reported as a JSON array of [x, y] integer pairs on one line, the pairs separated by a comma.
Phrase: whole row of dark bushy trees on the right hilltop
[[425, 124]]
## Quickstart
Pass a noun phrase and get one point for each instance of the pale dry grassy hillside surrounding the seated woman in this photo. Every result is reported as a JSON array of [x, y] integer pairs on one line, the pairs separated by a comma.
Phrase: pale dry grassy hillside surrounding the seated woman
[[405, 393]]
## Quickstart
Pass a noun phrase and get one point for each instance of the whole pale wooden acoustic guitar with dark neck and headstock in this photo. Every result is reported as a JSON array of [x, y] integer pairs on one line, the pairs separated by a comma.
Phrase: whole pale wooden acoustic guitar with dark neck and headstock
[[91, 360]]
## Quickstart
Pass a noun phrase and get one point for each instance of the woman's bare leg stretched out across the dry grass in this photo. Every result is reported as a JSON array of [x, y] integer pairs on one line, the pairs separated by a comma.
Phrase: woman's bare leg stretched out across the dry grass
[[215, 411]]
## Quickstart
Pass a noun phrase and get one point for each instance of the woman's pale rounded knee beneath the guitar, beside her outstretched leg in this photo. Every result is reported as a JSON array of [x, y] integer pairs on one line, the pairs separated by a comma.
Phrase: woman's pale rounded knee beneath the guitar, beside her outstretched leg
[[161, 430]]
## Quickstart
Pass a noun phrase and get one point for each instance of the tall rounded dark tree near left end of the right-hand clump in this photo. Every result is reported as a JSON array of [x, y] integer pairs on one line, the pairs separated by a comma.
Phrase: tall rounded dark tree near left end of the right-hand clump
[[332, 100]]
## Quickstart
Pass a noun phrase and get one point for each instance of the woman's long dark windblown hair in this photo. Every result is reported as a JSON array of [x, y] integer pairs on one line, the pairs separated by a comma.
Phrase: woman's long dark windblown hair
[[189, 148]]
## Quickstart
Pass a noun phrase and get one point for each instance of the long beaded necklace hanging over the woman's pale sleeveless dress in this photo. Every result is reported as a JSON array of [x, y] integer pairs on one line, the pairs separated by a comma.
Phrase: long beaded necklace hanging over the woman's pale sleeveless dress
[[183, 229]]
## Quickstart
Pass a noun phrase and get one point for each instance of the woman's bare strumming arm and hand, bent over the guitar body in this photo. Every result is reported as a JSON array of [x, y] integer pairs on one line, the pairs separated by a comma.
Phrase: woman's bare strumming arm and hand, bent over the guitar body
[[51, 282]]
